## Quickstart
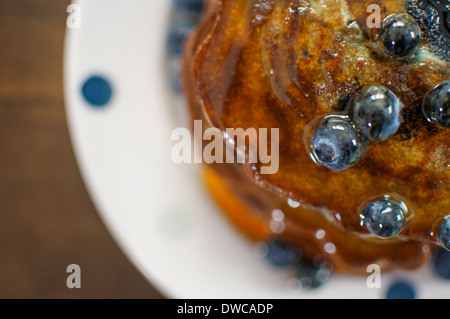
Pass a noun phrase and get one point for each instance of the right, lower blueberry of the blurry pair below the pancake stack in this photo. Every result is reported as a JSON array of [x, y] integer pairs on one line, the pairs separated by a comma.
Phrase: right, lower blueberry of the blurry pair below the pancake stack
[[313, 275]]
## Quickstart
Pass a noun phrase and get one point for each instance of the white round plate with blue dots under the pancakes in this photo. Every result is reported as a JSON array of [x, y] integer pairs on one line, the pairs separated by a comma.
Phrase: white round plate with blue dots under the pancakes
[[159, 212]]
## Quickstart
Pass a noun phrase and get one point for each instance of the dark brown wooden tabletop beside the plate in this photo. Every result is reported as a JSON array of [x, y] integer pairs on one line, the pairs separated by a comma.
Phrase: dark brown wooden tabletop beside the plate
[[47, 220]]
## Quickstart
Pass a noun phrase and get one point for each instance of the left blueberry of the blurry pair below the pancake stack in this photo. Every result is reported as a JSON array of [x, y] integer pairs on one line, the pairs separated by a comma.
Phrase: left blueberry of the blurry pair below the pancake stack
[[281, 254]]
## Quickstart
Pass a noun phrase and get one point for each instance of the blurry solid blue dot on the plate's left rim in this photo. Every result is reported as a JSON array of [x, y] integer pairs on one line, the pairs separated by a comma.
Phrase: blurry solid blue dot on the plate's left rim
[[97, 91]]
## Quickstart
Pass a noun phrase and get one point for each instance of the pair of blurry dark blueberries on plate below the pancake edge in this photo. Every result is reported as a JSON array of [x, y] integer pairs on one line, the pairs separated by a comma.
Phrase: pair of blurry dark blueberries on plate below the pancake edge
[[310, 273]]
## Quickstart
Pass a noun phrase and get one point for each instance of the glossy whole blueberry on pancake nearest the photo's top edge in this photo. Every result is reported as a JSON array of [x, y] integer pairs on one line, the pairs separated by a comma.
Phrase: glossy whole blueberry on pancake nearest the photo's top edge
[[399, 35]]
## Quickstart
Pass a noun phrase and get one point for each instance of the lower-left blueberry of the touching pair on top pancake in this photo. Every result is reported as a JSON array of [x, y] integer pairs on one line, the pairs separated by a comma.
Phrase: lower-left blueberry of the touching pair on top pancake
[[336, 145]]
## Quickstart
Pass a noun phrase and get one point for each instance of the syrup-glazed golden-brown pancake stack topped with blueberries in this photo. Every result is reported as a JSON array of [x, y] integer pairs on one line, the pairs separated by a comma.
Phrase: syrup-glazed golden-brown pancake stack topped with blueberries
[[291, 65]]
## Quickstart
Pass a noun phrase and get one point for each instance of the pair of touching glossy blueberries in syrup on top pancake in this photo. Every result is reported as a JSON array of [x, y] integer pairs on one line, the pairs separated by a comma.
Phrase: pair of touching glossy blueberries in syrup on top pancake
[[340, 141]]
